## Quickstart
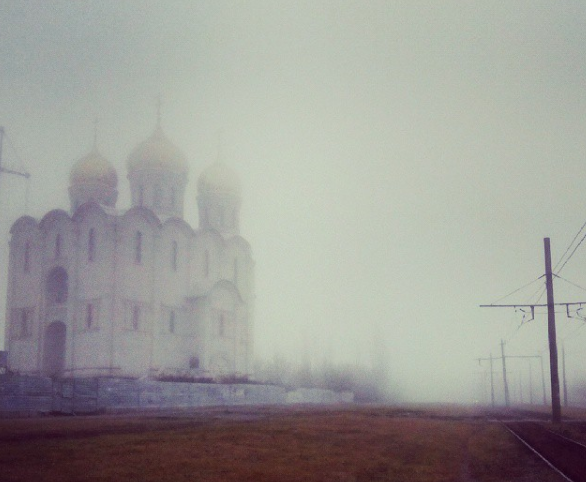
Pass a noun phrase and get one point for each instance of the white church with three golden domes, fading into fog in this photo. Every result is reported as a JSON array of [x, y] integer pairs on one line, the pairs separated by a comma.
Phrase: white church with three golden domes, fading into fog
[[138, 292]]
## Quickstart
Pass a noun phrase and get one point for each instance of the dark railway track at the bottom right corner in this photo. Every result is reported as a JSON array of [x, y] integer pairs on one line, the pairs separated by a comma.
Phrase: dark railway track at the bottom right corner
[[567, 457]]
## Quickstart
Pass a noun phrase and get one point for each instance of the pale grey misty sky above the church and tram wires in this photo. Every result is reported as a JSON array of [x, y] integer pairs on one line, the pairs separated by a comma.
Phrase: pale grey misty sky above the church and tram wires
[[401, 162]]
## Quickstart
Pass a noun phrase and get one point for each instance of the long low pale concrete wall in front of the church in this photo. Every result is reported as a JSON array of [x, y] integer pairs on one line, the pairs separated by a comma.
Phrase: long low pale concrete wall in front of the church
[[22, 395]]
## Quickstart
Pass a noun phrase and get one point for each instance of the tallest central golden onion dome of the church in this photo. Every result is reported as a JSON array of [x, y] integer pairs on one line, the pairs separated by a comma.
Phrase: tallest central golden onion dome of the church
[[157, 152]]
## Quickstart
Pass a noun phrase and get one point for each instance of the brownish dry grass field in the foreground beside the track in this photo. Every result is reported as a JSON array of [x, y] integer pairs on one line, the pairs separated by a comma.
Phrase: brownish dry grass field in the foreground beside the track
[[268, 444]]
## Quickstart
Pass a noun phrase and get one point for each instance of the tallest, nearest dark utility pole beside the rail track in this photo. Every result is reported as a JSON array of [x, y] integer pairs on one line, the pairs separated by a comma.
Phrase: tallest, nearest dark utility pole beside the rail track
[[556, 408]]
